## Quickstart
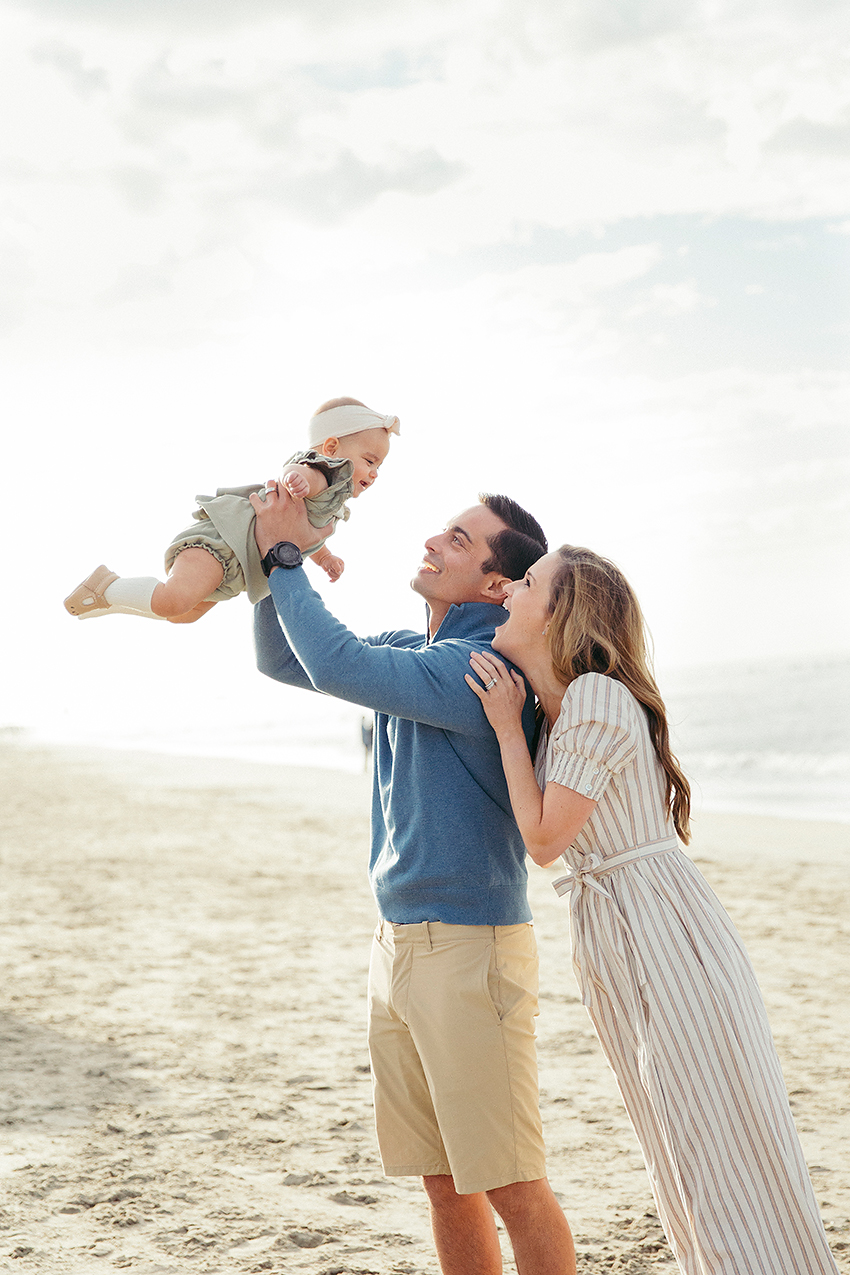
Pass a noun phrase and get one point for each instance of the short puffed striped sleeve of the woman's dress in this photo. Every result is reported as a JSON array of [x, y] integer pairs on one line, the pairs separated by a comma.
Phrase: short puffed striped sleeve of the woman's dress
[[596, 736]]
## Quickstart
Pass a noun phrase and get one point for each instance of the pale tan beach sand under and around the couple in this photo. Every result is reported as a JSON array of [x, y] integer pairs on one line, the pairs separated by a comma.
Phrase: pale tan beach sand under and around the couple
[[184, 958]]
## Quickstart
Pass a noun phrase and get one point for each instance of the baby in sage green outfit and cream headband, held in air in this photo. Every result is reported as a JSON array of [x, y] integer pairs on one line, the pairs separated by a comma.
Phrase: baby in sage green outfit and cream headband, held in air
[[219, 558]]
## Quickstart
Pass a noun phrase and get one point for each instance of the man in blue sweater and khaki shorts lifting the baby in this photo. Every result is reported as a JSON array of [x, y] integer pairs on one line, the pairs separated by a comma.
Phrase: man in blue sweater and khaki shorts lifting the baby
[[453, 980]]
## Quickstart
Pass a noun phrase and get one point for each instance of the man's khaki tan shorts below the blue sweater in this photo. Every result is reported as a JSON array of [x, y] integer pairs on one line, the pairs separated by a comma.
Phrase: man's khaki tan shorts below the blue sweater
[[454, 1059]]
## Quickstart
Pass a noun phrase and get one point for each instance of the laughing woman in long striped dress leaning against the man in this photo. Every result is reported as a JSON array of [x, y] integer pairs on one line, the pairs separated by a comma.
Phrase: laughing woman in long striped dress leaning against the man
[[662, 970]]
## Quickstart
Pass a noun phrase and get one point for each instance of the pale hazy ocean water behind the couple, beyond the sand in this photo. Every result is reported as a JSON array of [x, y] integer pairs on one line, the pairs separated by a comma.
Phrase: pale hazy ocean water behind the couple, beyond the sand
[[767, 738]]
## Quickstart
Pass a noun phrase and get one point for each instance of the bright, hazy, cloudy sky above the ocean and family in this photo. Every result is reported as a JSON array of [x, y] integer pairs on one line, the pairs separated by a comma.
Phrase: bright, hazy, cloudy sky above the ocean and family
[[592, 254]]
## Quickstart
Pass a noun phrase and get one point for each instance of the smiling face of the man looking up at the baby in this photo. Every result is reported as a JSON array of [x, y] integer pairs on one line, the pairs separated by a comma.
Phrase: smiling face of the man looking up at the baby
[[452, 568]]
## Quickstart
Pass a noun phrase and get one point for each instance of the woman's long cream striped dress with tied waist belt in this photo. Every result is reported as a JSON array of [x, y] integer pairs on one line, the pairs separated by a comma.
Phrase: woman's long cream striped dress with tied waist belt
[[675, 1002]]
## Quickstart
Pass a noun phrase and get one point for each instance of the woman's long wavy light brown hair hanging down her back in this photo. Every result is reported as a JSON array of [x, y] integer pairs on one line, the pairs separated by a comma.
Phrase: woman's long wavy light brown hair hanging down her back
[[598, 628]]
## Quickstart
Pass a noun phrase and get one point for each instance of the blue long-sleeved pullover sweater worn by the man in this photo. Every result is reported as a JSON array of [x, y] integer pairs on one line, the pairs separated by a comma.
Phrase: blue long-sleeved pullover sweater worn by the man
[[445, 846]]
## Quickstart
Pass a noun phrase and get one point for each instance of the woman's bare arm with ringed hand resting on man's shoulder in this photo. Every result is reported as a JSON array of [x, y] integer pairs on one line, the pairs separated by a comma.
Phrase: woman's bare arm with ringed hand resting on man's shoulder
[[550, 822]]
